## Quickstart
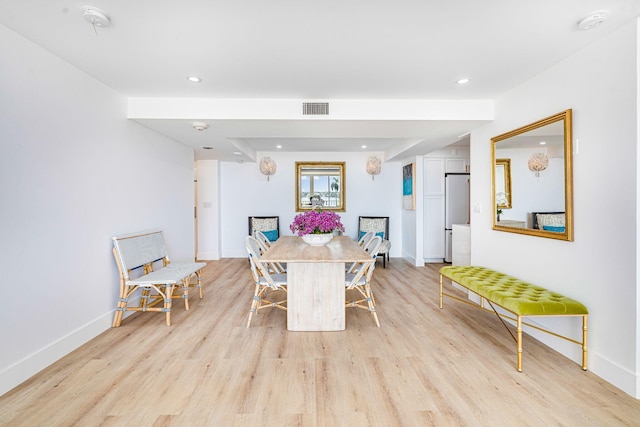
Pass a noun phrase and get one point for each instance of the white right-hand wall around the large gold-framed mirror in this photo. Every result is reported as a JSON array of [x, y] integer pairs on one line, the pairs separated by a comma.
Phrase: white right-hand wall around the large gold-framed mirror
[[599, 268]]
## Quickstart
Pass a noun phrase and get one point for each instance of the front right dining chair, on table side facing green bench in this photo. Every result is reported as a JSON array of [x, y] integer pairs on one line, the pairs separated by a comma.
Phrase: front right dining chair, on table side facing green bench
[[360, 282]]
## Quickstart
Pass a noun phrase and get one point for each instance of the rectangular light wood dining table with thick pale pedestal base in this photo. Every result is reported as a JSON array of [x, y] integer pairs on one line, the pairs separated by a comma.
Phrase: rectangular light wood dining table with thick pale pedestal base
[[315, 280]]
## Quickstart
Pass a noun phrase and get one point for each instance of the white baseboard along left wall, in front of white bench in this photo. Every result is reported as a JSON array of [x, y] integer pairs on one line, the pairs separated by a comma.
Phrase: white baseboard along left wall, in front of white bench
[[24, 369]]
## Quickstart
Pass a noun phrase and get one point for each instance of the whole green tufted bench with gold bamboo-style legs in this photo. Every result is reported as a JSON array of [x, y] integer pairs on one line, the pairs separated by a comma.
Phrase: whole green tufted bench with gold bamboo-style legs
[[518, 297]]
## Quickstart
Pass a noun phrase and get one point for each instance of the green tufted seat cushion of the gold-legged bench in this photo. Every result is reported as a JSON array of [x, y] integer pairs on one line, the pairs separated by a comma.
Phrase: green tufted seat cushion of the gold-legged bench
[[511, 293]]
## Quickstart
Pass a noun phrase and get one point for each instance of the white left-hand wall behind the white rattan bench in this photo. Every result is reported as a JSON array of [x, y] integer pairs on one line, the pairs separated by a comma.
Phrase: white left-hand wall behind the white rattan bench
[[73, 172]]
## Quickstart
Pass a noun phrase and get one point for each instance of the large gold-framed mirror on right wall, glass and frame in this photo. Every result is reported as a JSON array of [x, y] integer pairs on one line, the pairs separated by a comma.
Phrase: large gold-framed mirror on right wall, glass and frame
[[540, 179]]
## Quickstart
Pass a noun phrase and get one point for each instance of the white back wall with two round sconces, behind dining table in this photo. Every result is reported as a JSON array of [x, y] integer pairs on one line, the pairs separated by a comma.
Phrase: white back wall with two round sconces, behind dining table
[[244, 191]]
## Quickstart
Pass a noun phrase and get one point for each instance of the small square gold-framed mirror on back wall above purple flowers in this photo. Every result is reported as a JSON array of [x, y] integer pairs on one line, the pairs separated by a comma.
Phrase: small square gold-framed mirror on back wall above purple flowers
[[322, 185]]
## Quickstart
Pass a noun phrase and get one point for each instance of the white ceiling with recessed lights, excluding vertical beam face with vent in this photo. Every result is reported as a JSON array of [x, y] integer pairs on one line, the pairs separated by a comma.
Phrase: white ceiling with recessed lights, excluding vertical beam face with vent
[[314, 50]]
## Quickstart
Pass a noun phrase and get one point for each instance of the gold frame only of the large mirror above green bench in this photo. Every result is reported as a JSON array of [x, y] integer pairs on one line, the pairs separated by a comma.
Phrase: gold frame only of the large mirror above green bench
[[566, 118]]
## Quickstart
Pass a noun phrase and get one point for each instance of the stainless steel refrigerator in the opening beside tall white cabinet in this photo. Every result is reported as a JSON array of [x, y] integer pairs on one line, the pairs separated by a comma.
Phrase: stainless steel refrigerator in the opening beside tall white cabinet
[[456, 205]]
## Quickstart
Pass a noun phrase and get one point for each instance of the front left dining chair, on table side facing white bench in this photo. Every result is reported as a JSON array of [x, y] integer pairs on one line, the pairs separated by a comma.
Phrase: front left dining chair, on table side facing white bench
[[266, 284]]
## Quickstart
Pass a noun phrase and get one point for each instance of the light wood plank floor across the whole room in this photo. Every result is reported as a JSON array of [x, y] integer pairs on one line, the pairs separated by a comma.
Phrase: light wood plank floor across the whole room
[[424, 366]]
